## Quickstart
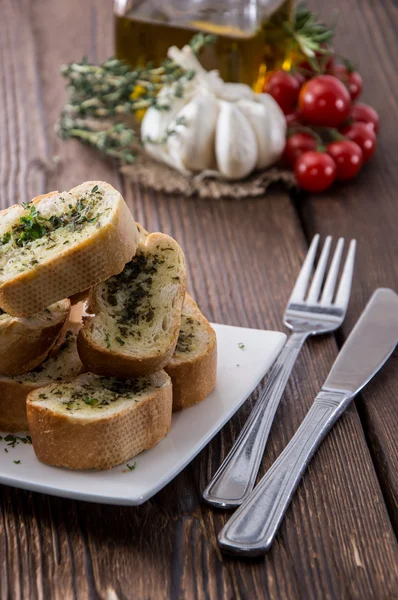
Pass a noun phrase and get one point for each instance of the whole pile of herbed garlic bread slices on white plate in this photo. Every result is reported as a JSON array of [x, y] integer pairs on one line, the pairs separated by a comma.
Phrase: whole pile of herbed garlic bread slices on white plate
[[95, 393]]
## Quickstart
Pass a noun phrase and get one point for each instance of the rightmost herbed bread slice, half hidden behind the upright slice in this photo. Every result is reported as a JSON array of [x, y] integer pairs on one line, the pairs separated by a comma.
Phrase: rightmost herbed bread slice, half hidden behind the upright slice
[[193, 368]]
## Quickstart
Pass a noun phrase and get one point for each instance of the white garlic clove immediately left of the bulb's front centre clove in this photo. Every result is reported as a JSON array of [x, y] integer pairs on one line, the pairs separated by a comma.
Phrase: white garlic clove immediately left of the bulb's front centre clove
[[192, 140]]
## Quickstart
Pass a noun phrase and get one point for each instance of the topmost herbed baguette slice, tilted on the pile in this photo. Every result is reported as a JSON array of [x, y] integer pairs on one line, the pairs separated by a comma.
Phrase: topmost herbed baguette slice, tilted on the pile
[[74, 240]]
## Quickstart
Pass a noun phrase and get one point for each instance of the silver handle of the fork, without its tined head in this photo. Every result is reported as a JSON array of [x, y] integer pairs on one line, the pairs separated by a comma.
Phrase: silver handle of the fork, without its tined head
[[236, 476]]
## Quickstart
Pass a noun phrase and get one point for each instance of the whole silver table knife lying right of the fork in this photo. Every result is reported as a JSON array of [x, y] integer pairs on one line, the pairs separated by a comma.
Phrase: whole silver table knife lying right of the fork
[[252, 528]]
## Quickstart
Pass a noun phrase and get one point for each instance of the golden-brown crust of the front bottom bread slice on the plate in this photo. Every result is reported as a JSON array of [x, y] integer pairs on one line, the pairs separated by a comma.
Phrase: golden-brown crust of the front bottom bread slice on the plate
[[63, 441]]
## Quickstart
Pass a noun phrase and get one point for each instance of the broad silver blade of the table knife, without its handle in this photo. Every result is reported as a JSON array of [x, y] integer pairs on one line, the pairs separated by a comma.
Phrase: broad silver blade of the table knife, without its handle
[[368, 346]]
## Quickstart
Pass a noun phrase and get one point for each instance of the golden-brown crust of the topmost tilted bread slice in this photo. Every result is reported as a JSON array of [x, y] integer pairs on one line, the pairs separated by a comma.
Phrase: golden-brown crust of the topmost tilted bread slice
[[73, 270]]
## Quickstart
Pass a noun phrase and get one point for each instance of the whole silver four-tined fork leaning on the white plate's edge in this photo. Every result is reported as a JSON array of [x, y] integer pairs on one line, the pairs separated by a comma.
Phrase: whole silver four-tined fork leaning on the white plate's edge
[[305, 316]]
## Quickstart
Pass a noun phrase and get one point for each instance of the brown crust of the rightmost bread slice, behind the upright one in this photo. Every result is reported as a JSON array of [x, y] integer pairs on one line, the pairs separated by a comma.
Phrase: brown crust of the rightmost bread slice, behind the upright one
[[194, 378]]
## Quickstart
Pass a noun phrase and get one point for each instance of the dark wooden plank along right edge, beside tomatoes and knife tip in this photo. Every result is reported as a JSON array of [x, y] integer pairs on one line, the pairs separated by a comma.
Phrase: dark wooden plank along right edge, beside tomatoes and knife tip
[[366, 33]]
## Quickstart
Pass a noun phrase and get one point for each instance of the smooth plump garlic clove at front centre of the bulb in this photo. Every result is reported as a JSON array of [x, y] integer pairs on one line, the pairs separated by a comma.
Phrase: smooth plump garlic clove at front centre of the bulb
[[236, 144]]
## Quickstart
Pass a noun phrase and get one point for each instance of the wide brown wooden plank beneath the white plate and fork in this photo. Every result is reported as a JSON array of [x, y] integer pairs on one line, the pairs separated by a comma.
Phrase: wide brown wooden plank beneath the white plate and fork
[[337, 541]]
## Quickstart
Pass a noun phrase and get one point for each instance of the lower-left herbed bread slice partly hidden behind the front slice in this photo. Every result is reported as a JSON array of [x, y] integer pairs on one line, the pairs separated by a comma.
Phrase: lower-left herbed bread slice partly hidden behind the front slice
[[14, 390]]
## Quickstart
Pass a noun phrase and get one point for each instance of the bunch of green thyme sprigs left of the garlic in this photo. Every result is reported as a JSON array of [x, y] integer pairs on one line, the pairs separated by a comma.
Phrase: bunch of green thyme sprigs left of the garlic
[[113, 91]]
